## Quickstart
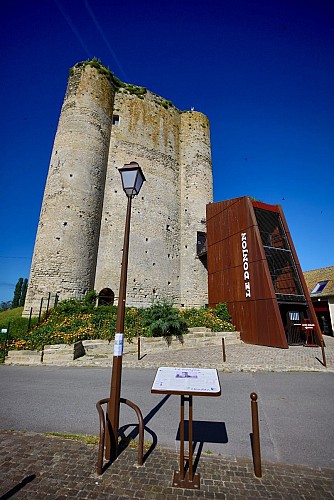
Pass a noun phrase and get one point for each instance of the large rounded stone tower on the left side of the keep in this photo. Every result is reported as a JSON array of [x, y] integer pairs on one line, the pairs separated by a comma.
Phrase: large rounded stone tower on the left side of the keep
[[66, 245]]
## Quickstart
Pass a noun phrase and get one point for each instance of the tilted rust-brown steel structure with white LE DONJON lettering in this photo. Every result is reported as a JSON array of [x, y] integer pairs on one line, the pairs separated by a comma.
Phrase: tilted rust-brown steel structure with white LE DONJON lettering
[[253, 267]]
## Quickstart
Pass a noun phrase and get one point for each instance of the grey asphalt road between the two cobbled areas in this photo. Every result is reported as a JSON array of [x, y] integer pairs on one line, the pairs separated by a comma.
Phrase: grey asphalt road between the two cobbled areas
[[295, 410]]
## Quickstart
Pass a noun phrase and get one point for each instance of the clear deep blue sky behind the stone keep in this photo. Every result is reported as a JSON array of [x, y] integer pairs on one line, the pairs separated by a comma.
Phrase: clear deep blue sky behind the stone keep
[[261, 70]]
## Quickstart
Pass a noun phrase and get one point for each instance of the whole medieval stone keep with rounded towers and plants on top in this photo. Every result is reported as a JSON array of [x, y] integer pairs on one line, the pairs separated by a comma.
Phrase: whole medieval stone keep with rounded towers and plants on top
[[103, 125]]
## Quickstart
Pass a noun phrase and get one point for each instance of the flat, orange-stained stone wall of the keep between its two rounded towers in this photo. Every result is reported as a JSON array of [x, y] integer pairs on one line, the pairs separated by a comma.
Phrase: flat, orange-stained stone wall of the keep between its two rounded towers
[[147, 133]]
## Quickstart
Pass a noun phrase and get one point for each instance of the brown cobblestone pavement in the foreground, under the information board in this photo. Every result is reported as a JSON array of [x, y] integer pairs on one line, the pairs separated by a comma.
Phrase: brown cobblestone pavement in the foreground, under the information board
[[35, 466]]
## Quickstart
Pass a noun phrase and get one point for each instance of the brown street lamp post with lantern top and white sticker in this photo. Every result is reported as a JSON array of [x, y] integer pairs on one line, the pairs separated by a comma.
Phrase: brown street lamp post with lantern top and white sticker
[[132, 180]]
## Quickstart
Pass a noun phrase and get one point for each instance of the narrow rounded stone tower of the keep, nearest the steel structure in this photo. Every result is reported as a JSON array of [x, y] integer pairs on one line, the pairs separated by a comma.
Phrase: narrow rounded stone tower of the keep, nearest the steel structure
[[196, 193]]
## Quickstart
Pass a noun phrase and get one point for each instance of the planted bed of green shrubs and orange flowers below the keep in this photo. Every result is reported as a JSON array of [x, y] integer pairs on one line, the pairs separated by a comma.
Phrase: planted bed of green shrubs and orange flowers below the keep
[[74, 320]]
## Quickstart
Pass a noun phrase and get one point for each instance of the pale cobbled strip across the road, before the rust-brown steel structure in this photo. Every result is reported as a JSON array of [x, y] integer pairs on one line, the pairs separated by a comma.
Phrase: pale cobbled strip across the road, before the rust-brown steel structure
[[239, 357]]
